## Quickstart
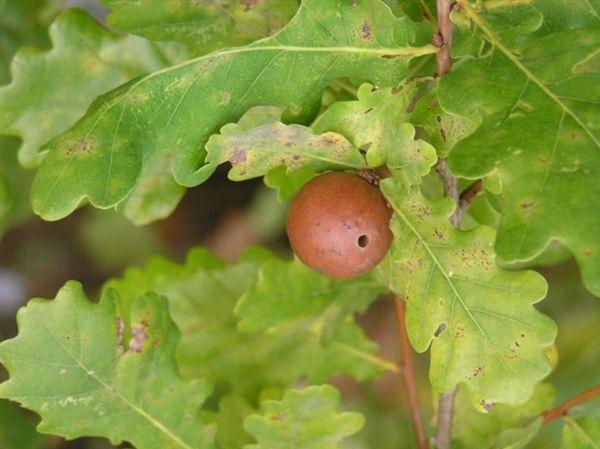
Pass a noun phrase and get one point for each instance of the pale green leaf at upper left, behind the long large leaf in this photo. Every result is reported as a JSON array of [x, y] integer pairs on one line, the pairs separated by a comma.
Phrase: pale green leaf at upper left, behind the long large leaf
[[51, 90]]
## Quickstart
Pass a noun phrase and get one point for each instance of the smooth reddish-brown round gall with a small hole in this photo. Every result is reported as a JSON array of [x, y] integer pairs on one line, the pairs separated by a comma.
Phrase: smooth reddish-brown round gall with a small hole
[[338, 225]]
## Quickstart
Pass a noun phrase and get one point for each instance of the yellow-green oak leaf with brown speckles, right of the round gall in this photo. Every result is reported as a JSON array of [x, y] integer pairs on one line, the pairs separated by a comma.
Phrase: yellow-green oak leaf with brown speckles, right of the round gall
[[477, 318]]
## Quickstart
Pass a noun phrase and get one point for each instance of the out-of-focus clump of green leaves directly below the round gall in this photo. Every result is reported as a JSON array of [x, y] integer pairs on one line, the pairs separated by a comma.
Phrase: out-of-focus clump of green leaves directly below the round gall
[[202, 296]]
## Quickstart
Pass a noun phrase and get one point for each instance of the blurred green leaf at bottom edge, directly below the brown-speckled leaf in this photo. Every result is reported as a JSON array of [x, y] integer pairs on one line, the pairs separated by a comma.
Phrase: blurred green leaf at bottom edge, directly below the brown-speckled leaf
[[503, 427]]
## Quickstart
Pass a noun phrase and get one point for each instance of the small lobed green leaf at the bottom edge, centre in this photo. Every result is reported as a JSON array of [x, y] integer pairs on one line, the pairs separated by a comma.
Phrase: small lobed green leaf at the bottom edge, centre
[[303, 419]]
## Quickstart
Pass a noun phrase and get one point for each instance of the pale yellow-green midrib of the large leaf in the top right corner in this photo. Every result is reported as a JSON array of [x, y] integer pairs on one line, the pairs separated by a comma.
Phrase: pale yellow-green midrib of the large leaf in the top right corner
[[495, 41]]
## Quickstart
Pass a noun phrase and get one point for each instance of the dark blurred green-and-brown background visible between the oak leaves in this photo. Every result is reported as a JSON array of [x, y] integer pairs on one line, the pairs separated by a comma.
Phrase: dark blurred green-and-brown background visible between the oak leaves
[[37, 257]]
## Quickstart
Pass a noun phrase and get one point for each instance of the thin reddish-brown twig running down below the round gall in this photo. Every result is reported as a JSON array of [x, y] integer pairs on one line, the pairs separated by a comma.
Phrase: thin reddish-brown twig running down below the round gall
[[407, 371]]
